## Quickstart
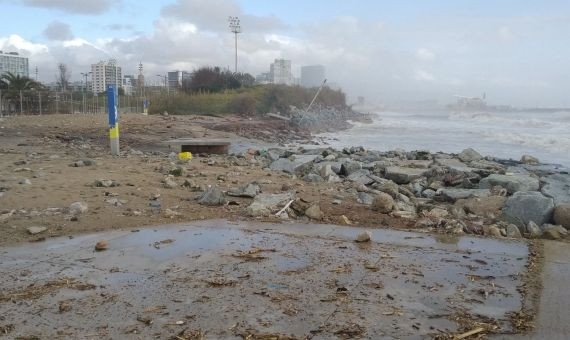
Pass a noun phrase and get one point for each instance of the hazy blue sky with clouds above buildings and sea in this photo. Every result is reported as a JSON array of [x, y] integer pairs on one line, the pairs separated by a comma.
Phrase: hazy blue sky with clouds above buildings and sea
[[517, 52]]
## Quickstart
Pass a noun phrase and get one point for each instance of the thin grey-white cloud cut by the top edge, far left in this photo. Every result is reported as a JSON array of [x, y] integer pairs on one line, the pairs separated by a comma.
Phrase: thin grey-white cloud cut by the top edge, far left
[[72, 6]]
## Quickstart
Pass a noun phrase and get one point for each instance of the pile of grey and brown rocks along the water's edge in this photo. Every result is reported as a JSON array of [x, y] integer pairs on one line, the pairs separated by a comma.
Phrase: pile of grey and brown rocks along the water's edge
[[464, 193]]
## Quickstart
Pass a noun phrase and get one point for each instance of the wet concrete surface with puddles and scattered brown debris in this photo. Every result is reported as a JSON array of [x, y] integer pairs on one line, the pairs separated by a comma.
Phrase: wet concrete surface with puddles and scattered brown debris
[[228, 280]]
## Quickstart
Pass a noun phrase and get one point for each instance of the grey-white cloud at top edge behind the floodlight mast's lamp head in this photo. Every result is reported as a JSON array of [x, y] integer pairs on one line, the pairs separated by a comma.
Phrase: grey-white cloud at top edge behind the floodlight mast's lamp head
[[213, 15]]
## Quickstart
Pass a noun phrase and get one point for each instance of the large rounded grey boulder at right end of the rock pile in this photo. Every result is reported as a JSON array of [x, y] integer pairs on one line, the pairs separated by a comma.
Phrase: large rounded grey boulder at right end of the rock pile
[[524, 207]]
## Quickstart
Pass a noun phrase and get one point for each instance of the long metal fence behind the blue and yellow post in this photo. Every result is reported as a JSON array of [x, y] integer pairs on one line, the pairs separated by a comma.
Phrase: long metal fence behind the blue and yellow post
[[50, 102]]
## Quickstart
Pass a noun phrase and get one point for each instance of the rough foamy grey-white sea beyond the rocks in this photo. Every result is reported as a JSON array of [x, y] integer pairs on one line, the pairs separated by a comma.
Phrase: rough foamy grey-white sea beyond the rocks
[[507, 135]]
